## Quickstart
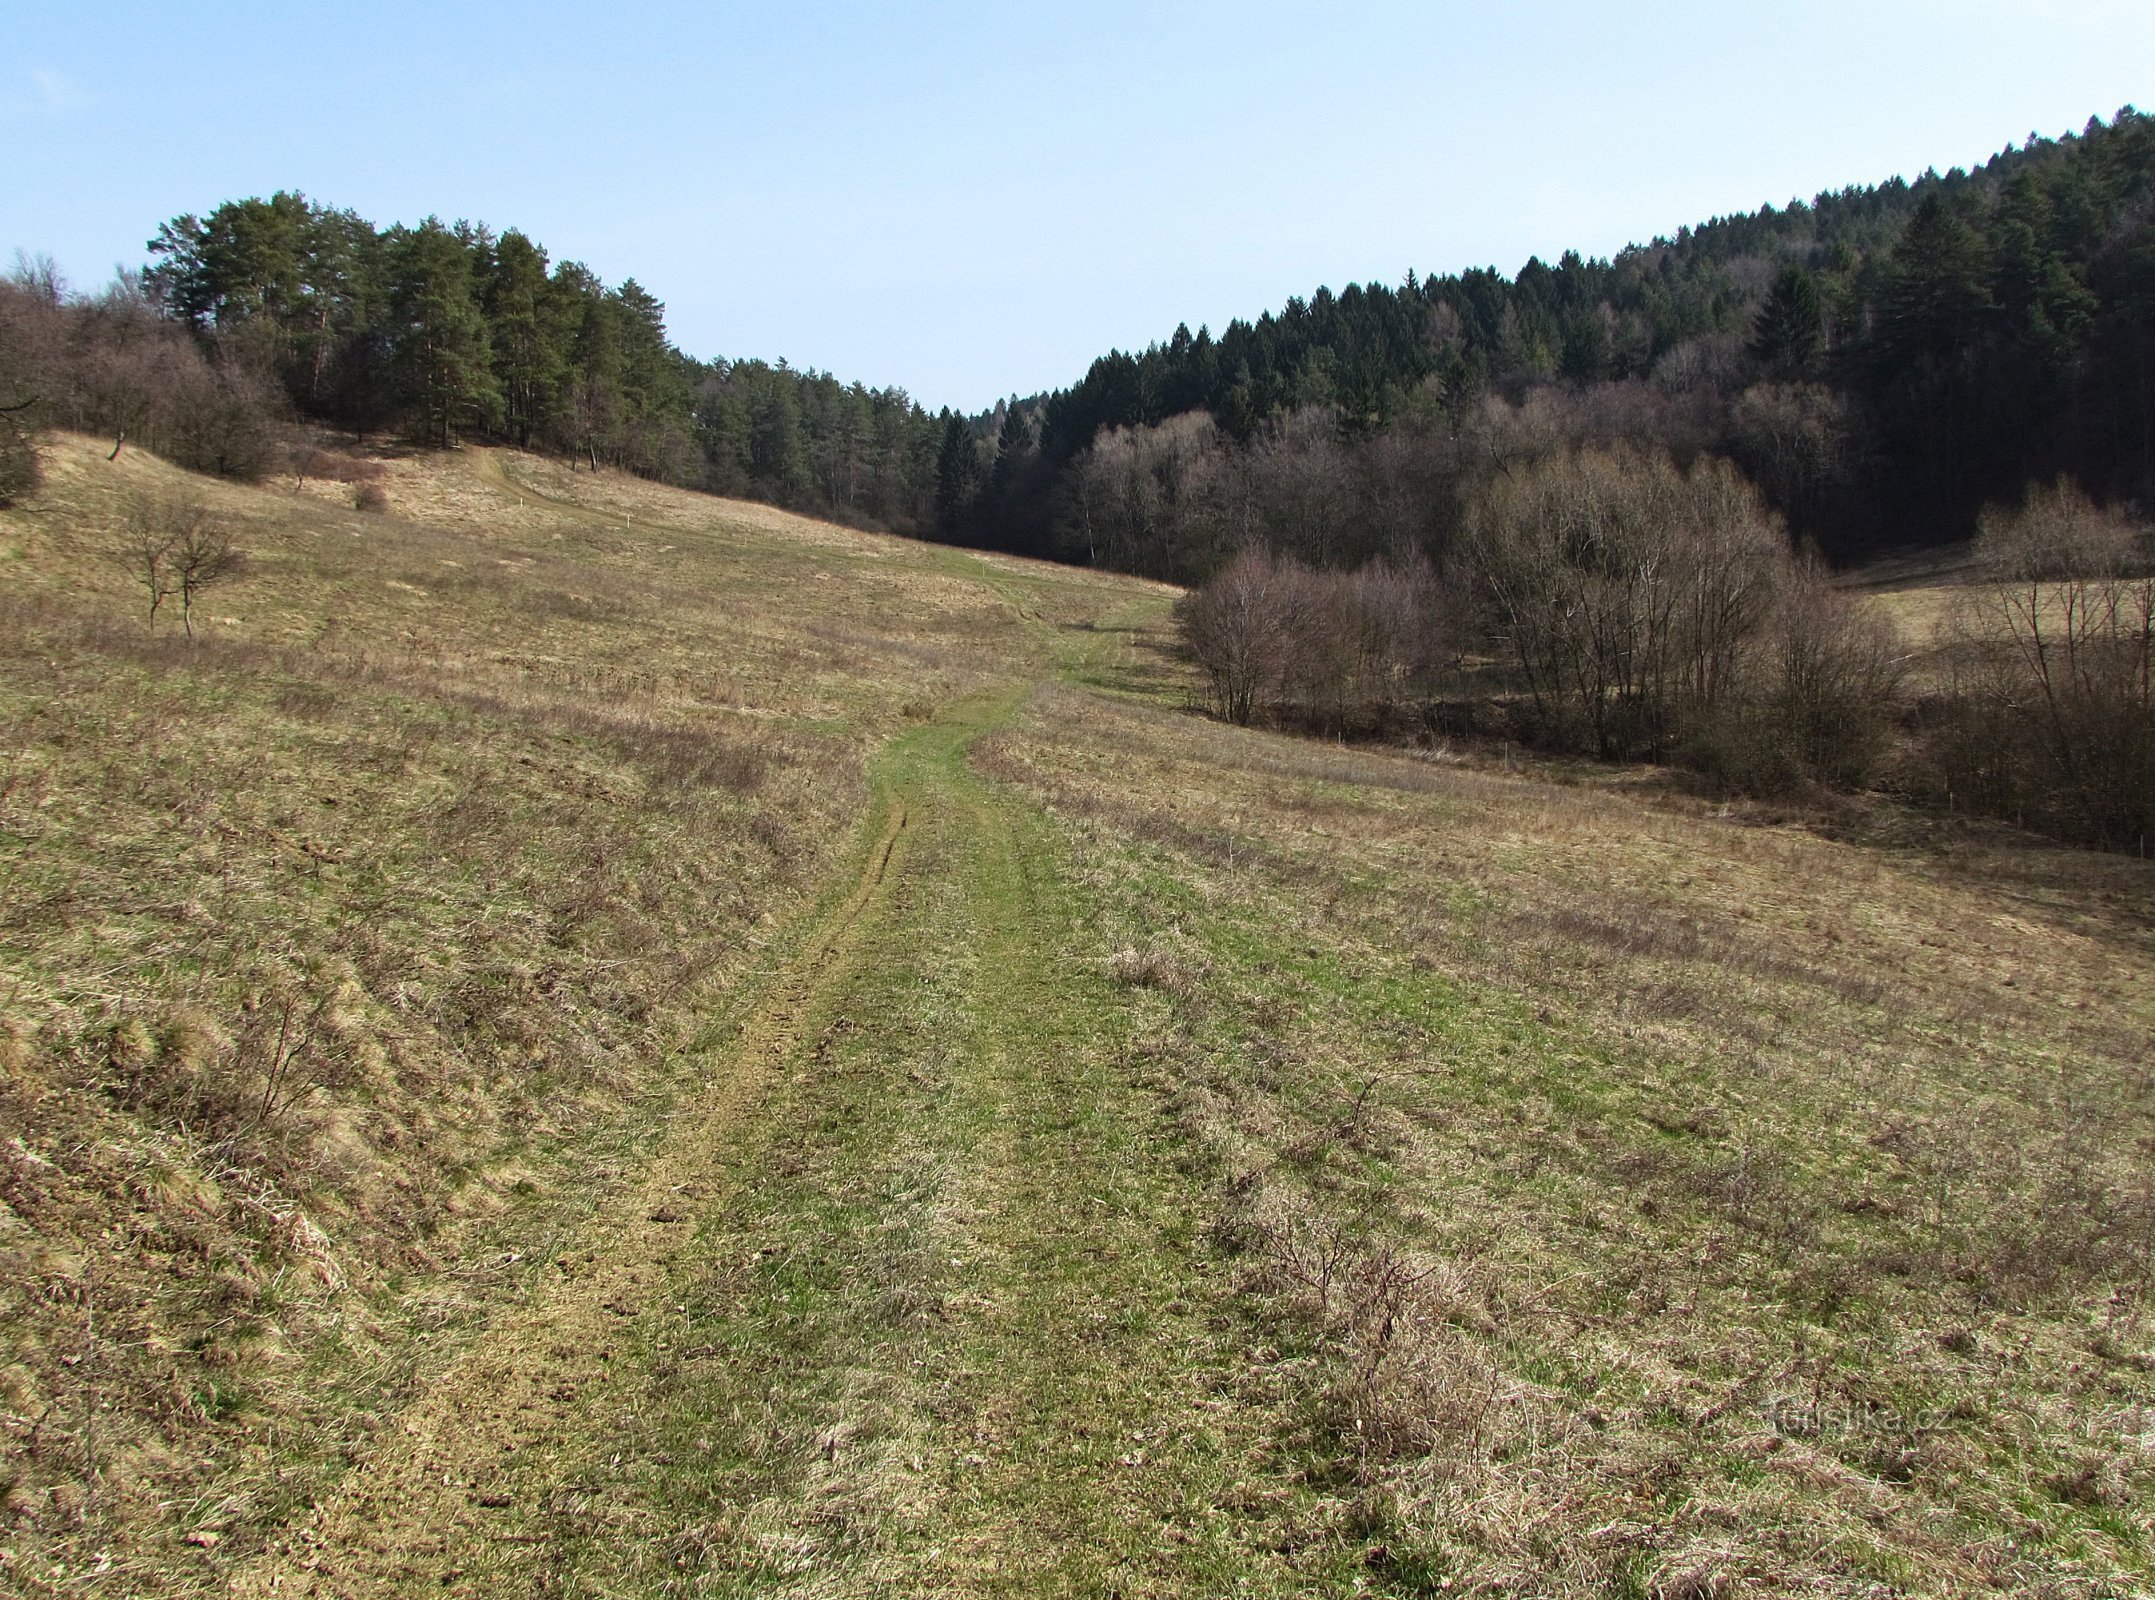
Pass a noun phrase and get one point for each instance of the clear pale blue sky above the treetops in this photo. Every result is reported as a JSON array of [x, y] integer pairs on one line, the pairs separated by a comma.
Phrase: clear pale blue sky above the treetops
[[977, 199]]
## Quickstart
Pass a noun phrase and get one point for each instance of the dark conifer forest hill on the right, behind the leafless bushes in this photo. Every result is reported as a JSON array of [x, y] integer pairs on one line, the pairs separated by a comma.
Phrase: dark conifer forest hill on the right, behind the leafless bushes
[[1880, 361]]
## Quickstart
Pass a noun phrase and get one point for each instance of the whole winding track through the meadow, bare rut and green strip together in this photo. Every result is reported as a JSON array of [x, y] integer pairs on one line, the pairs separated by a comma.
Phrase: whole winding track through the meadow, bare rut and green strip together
[[906, 1301]]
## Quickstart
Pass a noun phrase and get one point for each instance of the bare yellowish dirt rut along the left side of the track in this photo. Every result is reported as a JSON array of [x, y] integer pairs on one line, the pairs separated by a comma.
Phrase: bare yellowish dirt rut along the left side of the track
[[441, 1482]]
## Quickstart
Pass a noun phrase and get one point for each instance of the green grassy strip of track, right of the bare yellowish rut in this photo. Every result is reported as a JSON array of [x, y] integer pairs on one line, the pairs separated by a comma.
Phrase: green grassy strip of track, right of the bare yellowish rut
[[958, 1336]]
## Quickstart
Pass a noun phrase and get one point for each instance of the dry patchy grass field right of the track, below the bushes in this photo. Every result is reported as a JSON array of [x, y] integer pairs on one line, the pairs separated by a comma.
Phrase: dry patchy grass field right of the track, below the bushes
[[1667, 1202]]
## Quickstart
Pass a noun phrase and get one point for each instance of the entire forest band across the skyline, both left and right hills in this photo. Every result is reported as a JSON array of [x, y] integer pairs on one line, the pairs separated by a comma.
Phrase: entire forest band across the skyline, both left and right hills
[[1880, 363]]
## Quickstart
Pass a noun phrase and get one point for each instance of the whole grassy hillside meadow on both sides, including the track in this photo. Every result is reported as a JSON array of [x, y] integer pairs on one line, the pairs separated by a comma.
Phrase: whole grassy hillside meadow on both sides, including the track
[[589, 1040]]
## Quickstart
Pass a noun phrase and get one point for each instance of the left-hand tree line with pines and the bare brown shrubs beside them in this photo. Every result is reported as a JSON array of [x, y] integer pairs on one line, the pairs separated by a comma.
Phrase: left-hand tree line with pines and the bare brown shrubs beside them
[[273, 312]]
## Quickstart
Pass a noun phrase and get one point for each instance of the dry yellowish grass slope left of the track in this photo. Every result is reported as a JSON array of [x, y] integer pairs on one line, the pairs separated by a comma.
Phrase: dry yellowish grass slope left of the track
[[346, 954]]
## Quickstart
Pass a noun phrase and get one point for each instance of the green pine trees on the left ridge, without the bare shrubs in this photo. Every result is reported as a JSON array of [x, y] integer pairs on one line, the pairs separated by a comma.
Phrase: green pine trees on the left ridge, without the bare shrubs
[[451, 333]]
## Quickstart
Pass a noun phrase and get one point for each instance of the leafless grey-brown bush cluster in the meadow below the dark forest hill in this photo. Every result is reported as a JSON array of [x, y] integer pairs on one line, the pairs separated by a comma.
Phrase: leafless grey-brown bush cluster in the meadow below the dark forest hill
[[1604, 601]]
